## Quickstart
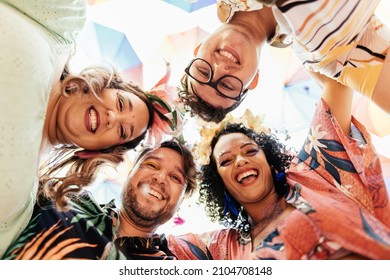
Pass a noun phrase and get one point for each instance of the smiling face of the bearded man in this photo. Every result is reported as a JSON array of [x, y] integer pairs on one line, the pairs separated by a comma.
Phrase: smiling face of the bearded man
[[155, 189]]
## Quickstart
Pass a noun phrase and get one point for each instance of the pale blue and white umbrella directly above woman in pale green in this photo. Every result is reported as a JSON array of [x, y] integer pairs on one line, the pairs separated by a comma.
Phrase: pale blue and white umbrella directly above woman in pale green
[[99, 44]]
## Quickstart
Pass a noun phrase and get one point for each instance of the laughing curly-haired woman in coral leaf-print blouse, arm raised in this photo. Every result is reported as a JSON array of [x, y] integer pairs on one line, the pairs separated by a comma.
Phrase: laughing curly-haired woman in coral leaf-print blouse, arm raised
[[329, 201]]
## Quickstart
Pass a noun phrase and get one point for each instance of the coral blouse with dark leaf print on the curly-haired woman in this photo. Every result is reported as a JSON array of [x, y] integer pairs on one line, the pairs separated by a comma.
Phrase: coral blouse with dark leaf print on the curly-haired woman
[[342, 205]]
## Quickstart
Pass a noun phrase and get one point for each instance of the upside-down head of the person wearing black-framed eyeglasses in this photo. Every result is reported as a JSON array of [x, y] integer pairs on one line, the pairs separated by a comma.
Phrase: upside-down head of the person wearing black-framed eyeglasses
[[226, 66]]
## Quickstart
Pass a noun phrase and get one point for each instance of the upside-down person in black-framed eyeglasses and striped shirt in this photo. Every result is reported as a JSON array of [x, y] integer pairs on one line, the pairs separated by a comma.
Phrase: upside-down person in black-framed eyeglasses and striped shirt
[[340, 39]]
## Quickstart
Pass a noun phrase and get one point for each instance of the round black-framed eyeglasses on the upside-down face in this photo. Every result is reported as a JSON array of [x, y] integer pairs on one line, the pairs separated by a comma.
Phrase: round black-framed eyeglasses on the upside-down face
[[227, 86]]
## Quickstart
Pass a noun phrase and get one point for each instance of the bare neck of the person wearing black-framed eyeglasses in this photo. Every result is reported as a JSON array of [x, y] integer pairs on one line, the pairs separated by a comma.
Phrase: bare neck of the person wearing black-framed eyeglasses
[[260, 23]]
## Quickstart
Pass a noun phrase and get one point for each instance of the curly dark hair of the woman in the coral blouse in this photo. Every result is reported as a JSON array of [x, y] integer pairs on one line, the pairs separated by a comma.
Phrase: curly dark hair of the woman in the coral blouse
[[212, 189]]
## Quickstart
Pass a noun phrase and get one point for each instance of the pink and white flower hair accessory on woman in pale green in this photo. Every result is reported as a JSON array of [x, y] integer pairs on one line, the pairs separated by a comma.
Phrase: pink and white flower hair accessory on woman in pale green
[[168, 117]]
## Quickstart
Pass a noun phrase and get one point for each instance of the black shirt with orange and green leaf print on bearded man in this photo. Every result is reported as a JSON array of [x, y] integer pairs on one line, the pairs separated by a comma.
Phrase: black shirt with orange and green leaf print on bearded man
[[87, 231]]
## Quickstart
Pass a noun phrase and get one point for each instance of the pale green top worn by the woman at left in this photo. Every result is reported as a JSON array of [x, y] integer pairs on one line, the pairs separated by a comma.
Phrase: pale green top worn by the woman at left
[[34, 49]]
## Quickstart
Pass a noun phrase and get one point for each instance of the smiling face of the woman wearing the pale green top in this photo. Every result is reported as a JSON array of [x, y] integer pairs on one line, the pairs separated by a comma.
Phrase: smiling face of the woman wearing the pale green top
[[96, 124]]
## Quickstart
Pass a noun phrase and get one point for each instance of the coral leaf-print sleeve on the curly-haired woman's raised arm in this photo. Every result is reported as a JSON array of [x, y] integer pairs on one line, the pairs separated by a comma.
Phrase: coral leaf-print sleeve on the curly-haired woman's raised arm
[[351, 165]]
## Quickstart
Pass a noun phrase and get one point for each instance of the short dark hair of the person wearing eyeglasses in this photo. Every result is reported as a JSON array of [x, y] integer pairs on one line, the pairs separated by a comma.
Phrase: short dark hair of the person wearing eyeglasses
[[199, 107]]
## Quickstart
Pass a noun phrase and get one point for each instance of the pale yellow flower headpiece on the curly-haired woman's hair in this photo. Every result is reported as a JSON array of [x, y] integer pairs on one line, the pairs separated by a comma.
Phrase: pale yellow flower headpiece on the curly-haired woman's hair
[[202, 149]]
